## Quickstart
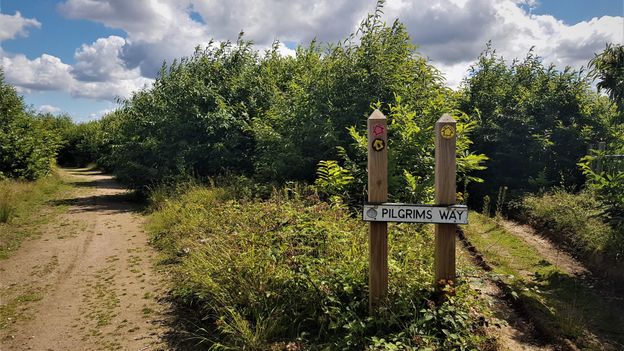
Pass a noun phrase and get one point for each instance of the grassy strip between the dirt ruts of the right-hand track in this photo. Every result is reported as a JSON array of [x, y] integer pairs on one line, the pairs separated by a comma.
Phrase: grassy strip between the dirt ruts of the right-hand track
[[564, 304]]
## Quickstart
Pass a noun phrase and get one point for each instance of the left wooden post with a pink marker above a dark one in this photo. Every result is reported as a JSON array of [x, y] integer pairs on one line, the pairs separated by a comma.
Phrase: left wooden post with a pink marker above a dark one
[[377, 193]]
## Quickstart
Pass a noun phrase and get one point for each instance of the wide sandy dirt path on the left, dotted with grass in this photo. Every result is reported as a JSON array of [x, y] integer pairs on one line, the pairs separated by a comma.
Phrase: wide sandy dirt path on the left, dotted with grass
[[88, 282]]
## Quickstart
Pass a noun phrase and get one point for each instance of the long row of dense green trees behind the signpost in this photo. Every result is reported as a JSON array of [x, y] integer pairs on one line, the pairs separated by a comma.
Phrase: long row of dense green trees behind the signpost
[[232, 110]]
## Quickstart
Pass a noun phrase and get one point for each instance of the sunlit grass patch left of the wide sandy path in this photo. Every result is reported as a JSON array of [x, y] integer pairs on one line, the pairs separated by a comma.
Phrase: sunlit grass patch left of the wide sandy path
[[23, 209]]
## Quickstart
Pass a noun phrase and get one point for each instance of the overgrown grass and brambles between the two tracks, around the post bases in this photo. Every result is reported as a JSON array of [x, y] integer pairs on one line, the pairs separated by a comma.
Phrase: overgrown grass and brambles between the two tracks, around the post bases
[[291, 274]]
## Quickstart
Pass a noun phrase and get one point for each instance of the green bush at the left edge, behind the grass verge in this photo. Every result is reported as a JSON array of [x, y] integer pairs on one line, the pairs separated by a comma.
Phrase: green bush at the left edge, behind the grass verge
[[27, 147]]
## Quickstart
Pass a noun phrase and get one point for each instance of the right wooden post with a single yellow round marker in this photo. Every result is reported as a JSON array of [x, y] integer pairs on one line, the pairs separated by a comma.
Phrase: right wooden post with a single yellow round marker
[[445, 194]]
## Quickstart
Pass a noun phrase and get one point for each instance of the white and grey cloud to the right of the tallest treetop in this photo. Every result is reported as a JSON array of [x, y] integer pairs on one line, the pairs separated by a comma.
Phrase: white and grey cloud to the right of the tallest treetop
[[453, 33]]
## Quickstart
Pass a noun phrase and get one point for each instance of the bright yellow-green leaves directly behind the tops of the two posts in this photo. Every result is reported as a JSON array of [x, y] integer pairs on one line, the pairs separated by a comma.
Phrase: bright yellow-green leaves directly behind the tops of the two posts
[[411, 151]]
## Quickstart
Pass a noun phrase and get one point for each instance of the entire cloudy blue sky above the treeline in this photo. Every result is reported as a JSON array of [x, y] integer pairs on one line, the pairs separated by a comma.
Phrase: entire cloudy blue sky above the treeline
[[81, 57]]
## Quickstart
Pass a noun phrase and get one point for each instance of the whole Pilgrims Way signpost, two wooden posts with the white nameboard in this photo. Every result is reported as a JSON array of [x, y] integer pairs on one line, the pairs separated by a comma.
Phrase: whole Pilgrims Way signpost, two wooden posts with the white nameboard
[[445, 214]]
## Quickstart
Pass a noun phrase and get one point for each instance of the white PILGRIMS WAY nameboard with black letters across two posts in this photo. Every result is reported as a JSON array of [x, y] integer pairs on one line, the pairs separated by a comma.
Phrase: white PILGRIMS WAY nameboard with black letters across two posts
[[408, 213]]
